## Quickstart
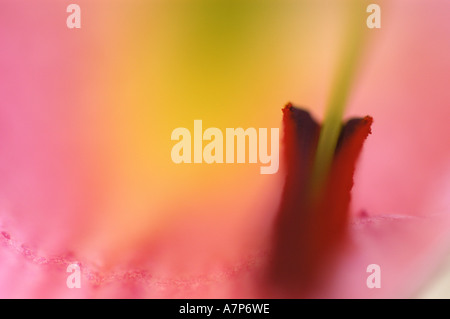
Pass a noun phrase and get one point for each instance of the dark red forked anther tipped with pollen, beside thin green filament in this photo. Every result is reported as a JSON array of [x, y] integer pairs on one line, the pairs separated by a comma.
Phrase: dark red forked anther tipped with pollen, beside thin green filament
[[309, 225]]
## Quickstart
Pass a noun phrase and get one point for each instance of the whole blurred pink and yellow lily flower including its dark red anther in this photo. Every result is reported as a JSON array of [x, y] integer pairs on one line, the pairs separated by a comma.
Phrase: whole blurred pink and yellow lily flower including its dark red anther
[[84, 182]]
